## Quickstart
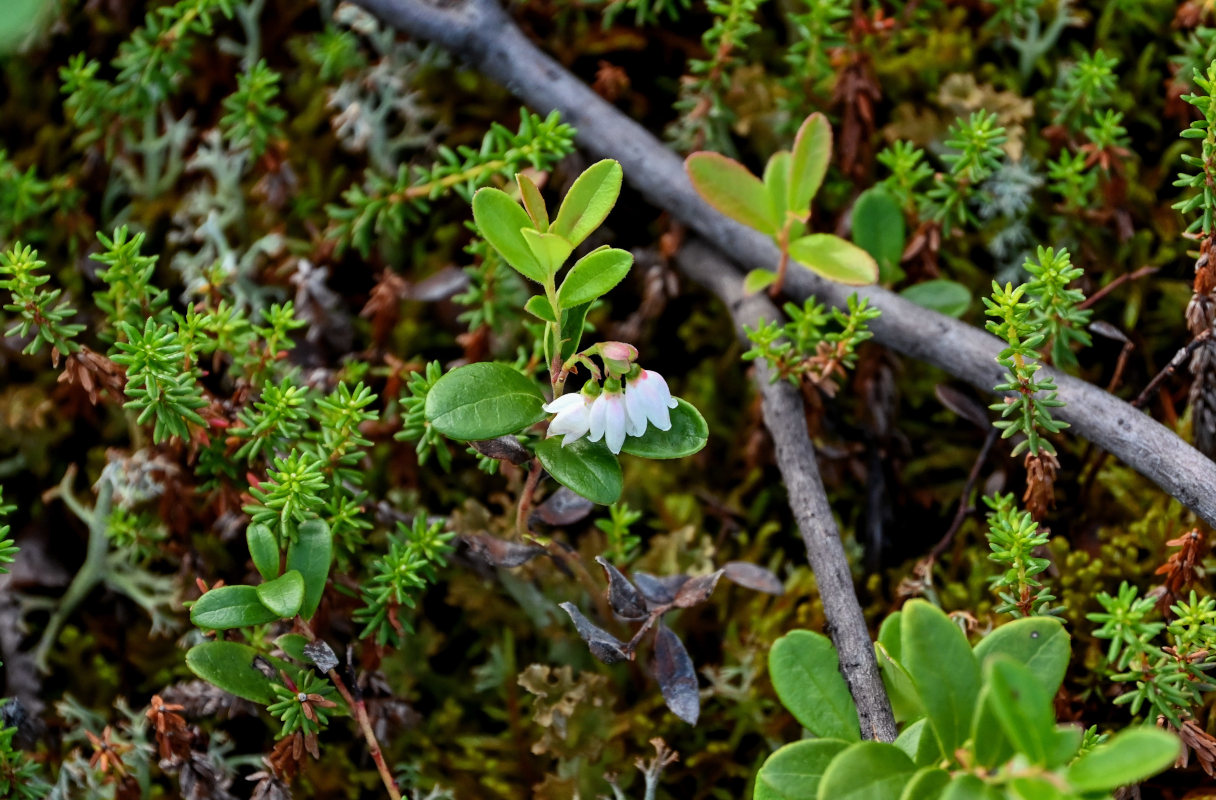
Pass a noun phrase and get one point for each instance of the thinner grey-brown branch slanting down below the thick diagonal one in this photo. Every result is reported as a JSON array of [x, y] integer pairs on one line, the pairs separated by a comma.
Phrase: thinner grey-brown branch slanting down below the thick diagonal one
[[786, 420]]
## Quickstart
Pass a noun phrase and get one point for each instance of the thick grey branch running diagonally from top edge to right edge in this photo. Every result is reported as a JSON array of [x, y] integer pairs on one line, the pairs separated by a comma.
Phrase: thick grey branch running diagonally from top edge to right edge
[[486, 37]]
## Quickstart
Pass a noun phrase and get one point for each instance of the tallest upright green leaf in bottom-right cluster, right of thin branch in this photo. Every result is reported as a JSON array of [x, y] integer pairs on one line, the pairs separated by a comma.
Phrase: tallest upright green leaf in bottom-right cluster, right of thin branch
[[945, 673]]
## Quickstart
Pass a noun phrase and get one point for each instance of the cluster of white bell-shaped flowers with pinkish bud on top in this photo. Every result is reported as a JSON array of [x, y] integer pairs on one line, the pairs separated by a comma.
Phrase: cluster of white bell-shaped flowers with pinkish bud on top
[[629, 399]]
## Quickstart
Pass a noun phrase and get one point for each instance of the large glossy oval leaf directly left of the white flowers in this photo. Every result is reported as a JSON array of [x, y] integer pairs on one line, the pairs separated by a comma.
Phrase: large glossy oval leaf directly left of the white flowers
[[482, 402]]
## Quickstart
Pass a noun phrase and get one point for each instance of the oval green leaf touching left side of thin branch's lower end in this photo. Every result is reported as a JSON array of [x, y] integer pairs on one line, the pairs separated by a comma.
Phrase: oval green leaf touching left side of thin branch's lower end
[[806, 673]]
